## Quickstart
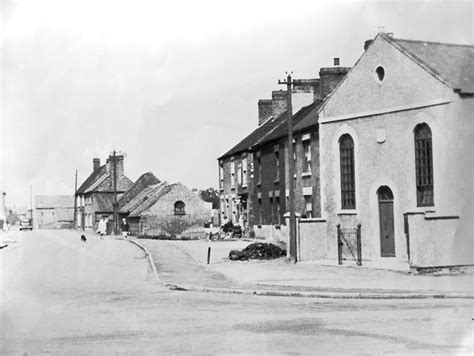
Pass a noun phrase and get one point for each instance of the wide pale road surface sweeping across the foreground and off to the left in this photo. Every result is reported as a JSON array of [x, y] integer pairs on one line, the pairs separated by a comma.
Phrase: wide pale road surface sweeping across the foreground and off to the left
[[60, 295]]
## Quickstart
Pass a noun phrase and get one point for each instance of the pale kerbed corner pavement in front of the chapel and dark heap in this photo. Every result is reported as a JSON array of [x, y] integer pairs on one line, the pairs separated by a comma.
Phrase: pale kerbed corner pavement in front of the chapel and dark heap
[[182, 265]]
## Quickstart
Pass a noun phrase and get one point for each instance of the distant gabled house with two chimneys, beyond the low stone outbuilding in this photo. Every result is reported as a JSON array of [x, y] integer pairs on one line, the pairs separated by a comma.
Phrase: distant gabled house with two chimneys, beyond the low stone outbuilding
[[95, 196]]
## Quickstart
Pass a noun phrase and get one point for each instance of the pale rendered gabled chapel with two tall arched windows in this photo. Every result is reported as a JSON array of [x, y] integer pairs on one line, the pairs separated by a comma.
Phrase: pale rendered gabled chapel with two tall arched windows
[[395, 155]]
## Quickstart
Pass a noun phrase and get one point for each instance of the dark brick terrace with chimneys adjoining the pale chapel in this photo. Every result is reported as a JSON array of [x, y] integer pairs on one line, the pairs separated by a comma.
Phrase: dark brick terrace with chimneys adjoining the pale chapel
[[253, 174]]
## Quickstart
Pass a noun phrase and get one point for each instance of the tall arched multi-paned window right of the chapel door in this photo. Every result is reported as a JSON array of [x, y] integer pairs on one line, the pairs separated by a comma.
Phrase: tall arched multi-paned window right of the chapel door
[[424, 165]]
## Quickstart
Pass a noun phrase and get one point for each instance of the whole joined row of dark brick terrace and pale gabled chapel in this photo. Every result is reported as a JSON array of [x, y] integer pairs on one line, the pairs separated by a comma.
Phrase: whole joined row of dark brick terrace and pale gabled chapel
[[383, 145]]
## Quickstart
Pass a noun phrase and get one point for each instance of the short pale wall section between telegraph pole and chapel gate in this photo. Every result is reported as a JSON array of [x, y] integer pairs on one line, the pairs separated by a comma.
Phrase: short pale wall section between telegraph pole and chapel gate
[[312, 239]]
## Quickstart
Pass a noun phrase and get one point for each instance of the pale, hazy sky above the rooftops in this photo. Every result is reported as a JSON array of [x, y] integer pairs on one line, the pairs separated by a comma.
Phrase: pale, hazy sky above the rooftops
[[173, 84]]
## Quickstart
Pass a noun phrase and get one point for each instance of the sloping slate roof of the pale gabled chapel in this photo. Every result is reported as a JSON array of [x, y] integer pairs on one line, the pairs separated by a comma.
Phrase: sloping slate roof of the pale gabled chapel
[[453, 64]]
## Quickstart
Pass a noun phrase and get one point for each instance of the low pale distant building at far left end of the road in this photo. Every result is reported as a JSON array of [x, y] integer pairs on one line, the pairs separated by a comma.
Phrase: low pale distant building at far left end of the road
[[53, 212]]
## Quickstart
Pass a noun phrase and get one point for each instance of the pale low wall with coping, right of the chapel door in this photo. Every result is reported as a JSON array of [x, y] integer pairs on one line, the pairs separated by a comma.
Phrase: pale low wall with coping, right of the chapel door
[[439, 241]]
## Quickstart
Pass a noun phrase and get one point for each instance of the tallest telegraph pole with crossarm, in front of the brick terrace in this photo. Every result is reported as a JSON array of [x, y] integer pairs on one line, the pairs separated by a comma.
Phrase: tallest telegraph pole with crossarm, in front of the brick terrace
[[291, 169]]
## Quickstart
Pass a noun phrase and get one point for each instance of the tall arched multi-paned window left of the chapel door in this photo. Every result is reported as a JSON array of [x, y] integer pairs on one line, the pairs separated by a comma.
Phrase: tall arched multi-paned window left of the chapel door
[[346, 150]]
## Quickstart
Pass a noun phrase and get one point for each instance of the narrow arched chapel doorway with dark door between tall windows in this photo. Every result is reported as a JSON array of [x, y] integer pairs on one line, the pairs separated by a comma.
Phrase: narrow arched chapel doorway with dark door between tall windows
[[387, 230]]
